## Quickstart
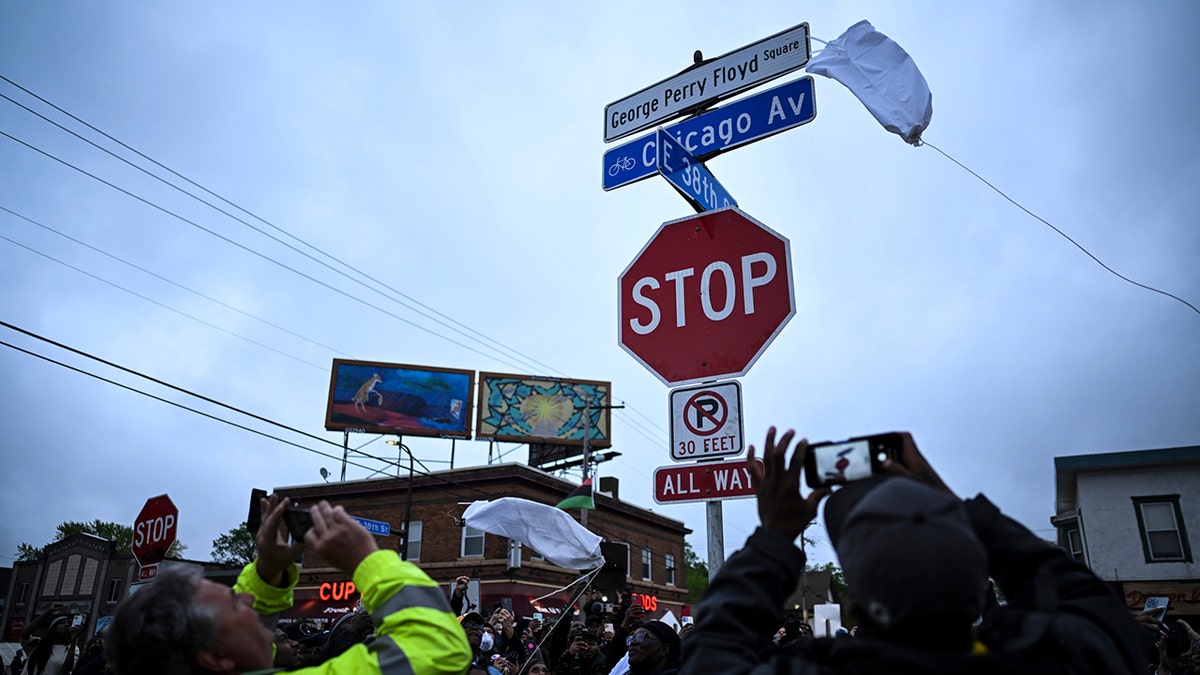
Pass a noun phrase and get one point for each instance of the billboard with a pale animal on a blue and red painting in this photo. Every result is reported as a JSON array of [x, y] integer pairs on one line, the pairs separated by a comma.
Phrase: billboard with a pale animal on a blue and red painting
[[387, 398]]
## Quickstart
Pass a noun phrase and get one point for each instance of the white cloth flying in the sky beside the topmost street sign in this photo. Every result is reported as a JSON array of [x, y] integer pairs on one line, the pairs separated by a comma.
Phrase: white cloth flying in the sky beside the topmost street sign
[[883, 76]]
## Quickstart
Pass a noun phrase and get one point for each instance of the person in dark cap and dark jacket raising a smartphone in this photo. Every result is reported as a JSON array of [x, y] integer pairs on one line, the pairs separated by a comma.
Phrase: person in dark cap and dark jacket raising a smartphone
[[917, 563]]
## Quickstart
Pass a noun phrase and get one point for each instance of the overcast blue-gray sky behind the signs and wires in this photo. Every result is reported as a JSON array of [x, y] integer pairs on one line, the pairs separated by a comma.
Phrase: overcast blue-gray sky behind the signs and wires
[[455, 157]]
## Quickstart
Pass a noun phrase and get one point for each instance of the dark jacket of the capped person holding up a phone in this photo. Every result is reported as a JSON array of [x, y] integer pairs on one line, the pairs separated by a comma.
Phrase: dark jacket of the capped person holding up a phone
[[1060, 618]]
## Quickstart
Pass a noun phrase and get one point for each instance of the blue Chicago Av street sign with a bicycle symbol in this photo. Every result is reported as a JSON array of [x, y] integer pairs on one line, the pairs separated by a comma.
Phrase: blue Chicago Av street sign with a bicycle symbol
[[743, 122]]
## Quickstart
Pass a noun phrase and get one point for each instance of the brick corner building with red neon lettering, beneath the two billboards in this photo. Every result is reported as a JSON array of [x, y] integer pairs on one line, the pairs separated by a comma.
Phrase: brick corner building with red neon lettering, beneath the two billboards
[[652, 546]]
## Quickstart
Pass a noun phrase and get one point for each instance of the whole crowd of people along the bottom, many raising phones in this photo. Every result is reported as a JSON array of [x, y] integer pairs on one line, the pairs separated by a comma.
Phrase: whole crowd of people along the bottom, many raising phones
[[937, 584]]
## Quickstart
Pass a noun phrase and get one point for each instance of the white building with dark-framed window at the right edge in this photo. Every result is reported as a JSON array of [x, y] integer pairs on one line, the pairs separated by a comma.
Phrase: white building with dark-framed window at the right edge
[[1135, 518]]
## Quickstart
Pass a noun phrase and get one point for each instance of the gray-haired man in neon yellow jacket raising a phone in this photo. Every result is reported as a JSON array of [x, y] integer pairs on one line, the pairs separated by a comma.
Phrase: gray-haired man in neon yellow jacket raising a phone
[[183, 624]]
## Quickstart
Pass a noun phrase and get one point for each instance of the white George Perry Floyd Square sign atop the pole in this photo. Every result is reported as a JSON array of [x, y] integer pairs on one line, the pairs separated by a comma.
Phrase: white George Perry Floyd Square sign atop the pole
[[709, 82]]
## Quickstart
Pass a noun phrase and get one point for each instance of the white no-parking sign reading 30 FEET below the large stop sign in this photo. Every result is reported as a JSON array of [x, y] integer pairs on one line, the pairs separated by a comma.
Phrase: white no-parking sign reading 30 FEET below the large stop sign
[[706, 421]]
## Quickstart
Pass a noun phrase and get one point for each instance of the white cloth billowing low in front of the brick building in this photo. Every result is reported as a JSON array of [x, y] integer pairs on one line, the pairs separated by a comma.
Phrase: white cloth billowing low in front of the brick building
[[550, 531]]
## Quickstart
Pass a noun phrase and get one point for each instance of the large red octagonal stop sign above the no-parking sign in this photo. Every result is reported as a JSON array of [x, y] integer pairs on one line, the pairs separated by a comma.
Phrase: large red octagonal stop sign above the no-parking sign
[[706, 296]]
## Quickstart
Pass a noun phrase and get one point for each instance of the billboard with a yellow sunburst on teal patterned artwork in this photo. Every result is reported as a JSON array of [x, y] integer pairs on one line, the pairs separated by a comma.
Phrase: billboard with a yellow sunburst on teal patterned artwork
[[521, 409]]
